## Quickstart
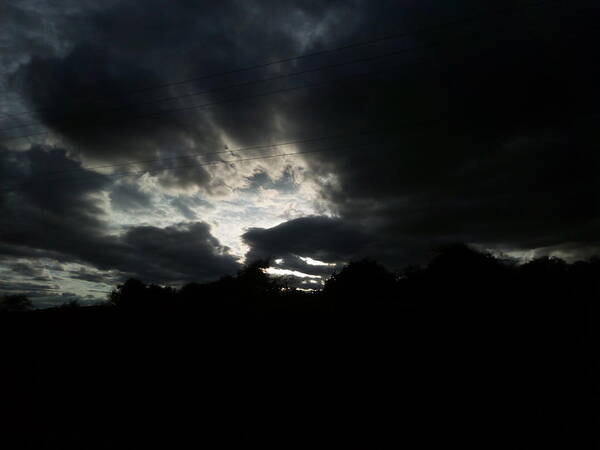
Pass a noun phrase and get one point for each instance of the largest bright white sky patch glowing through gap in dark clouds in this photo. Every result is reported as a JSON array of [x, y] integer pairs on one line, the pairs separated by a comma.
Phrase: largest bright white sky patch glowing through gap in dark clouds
[[266, 198]]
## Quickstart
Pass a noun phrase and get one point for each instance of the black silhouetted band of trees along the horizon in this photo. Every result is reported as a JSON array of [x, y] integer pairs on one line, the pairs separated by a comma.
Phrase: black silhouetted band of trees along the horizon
[[457, 276]]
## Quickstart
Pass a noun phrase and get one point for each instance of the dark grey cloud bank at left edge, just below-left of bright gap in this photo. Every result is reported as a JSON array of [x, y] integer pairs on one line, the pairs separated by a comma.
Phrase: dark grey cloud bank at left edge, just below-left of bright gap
[[67, 223]]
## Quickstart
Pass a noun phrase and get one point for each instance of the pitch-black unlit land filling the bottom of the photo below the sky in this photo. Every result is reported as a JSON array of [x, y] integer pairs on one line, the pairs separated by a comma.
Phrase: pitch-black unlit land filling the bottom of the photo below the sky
[[475, 355]]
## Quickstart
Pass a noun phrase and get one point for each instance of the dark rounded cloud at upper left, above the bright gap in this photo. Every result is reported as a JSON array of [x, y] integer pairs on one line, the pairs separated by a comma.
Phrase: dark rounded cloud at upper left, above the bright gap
[[99, 120]]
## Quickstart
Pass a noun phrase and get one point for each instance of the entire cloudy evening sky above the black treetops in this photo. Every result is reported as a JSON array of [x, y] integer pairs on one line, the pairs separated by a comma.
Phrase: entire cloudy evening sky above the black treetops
[[176, 141]]
